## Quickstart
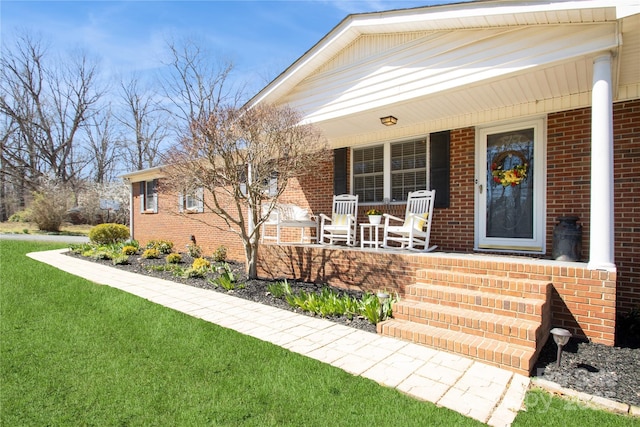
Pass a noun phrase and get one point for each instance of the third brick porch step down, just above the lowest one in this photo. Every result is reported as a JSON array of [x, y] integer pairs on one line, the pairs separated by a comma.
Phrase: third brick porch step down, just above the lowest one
[[481, 324]]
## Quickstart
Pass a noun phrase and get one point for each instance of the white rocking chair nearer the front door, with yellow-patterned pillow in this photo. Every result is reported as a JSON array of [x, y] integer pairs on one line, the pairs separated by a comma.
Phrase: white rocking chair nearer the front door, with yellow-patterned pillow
[[415, 228]]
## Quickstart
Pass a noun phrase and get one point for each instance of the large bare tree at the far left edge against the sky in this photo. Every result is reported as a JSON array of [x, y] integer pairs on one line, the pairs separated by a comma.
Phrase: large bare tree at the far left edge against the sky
[[46, 105]]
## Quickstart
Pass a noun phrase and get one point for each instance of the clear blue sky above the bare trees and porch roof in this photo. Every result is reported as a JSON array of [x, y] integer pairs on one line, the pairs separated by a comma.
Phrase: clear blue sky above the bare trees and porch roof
[[261, 38]]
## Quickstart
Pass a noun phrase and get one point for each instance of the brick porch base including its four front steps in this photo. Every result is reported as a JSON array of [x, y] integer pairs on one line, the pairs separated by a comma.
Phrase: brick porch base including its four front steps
[[498, 309]]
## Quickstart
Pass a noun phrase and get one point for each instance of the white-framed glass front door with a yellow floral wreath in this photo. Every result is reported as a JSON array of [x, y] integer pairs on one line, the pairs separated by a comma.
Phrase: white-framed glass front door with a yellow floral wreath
[[510, 188]]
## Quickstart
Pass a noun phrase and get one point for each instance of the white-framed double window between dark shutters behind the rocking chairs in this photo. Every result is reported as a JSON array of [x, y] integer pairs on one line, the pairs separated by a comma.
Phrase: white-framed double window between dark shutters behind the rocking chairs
[[389, 171]]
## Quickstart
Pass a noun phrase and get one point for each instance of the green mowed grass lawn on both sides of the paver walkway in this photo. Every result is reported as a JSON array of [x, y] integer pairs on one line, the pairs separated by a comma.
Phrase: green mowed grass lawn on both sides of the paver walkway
[[76, 353]]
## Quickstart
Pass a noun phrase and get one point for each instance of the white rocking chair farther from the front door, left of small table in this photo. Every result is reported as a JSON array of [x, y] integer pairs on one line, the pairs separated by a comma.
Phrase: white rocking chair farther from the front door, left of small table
[[342, 224]]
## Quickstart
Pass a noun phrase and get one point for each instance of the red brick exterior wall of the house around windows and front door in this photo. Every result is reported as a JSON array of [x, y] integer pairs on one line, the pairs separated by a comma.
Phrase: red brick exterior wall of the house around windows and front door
[[568, 190]]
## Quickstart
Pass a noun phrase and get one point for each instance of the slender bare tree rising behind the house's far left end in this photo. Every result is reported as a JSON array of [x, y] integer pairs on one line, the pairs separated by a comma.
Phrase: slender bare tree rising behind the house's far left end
[[146, 125]]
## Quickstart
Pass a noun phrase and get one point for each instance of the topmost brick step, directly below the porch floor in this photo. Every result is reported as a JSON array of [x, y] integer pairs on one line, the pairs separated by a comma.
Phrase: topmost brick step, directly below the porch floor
[[503, 285]]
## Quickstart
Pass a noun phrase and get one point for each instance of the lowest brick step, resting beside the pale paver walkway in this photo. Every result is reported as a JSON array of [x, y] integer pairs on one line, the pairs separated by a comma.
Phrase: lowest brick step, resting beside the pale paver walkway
[[491, 351]]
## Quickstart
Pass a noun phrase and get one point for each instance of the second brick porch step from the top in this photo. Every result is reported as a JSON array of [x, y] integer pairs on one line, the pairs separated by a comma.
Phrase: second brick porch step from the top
[[504, 305]]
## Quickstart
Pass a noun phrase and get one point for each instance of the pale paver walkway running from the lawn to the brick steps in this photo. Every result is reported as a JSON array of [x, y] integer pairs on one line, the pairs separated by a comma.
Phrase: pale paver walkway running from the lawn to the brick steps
[[480, 391]]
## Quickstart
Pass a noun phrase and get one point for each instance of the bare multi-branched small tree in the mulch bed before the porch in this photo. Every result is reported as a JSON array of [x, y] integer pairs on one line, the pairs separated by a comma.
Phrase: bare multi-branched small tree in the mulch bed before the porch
[[244, 158]]
